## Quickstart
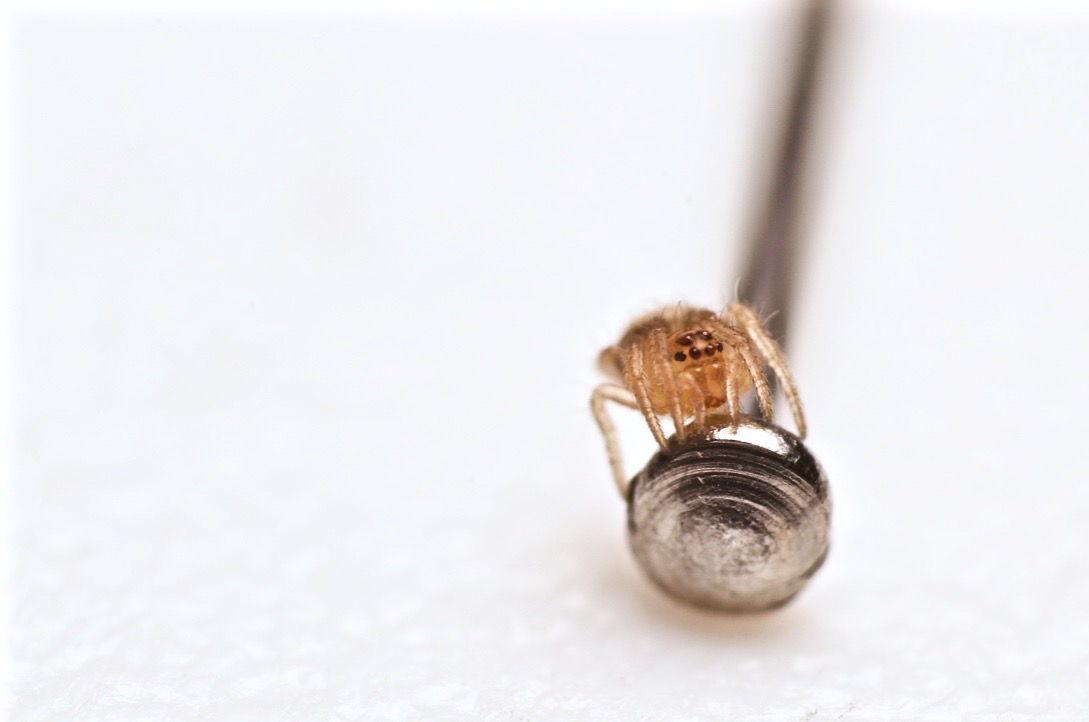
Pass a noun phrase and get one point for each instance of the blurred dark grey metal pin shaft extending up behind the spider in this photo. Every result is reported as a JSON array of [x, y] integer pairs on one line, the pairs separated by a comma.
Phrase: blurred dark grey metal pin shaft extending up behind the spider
[[769, 272]]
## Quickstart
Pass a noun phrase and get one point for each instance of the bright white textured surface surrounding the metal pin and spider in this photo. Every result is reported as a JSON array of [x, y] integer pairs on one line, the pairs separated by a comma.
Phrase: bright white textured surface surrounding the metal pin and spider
[[305, 328]]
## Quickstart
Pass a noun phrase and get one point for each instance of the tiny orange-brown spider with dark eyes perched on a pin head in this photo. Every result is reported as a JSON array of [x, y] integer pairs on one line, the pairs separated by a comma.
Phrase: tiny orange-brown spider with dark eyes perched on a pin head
[[690, 363]]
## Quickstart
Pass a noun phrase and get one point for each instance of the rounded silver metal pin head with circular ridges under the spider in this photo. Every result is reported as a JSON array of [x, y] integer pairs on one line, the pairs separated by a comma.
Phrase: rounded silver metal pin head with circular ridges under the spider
[[736, 522]]
